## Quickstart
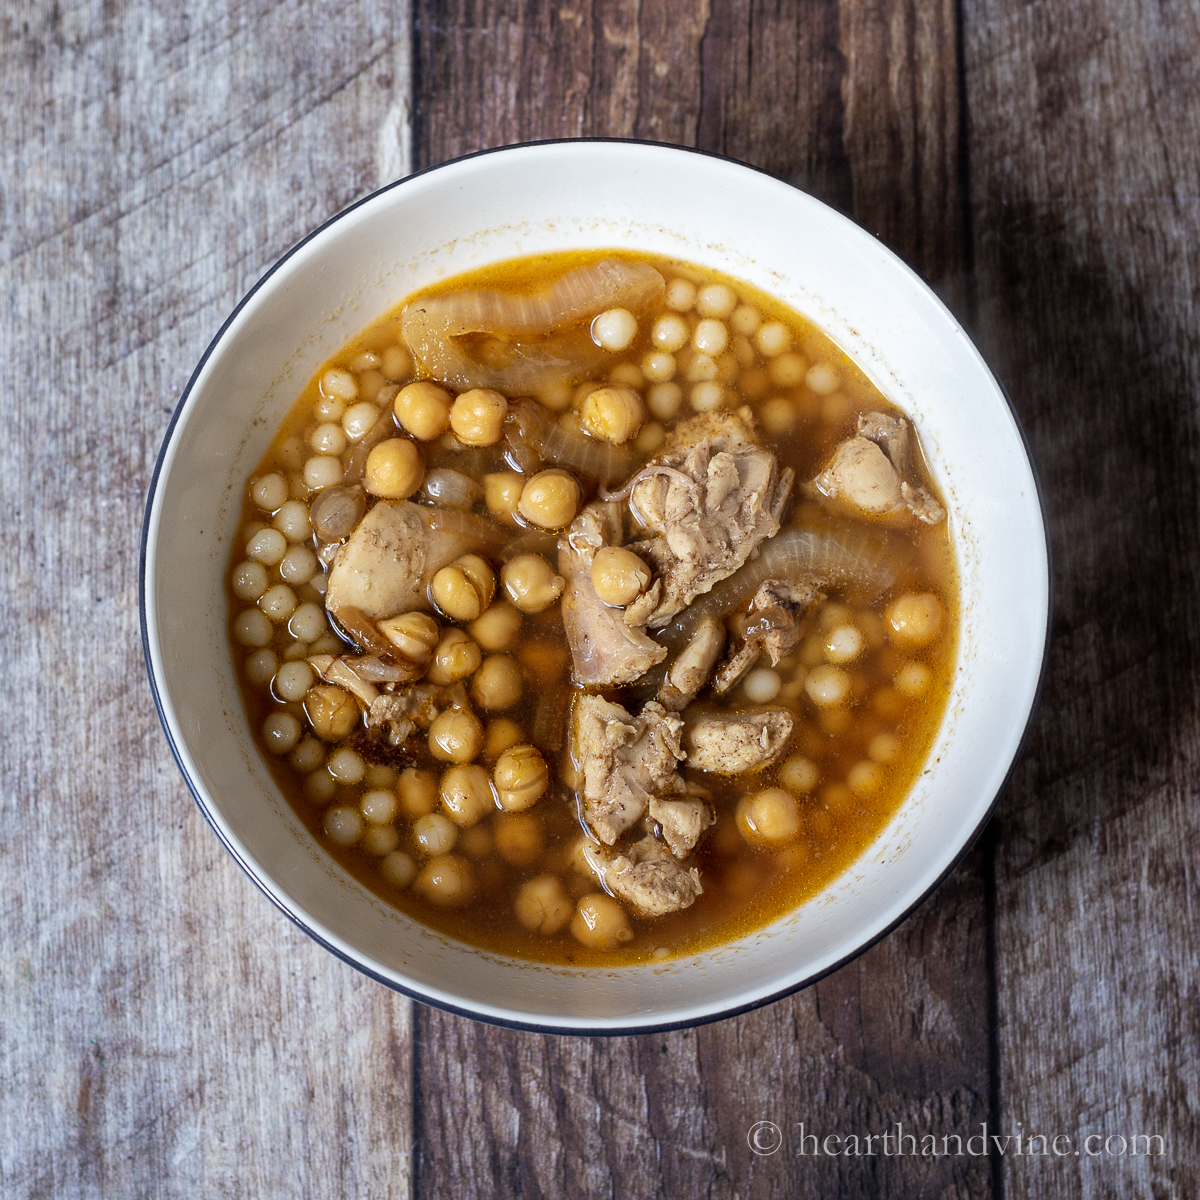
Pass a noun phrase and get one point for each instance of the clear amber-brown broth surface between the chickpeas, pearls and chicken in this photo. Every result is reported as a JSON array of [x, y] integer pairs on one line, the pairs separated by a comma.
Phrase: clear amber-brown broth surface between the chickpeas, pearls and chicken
[[745, 887]]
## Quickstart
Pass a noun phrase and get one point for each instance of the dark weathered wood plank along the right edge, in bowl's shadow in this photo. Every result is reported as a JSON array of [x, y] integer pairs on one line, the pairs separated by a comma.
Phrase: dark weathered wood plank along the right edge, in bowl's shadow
[[1085, 123]]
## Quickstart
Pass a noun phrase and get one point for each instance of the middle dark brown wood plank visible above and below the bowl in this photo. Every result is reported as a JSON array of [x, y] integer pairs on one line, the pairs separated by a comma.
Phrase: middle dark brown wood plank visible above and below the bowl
[[859, 105]]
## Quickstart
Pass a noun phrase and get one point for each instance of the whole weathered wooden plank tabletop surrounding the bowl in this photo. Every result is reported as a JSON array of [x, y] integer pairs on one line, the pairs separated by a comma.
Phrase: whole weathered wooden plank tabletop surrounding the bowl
[[165, 1033]]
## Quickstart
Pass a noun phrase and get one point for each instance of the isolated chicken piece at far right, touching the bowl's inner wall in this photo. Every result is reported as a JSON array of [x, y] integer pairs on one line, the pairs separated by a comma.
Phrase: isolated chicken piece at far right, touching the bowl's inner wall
[[868, 472]]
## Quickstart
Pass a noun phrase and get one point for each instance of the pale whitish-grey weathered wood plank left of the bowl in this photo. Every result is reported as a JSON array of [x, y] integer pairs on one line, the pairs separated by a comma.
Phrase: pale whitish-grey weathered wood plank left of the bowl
[[166, 1033]]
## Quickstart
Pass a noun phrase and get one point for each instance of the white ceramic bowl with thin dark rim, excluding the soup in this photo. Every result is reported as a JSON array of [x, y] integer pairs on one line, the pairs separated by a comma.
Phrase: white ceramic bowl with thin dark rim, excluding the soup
[[561, 196]]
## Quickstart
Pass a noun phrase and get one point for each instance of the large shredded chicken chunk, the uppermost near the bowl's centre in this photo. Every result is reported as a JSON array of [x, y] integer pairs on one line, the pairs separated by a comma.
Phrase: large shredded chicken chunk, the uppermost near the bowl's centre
[[711, 499]]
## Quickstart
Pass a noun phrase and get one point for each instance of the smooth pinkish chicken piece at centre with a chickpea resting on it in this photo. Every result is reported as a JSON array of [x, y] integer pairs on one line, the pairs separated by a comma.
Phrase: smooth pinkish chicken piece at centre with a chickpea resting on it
[[605, 651]]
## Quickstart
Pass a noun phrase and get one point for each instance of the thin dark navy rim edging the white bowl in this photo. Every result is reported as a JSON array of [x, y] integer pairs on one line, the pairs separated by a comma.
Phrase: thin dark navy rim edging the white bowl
[[412, 993]]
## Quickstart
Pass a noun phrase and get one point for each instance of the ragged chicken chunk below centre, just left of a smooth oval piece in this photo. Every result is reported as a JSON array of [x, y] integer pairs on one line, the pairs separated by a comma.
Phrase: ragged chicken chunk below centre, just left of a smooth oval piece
[[622, 761]]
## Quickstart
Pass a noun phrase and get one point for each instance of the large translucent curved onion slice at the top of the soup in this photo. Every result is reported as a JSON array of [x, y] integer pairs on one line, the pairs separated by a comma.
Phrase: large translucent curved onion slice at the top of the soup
[[431, 326]]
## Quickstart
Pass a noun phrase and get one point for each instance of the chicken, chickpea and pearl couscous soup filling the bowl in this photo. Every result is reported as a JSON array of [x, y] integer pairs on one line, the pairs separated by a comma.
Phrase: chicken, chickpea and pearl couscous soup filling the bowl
[[595, 609]]
